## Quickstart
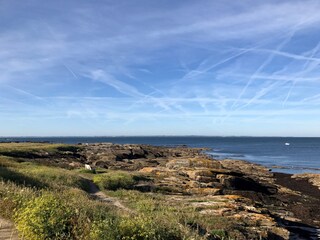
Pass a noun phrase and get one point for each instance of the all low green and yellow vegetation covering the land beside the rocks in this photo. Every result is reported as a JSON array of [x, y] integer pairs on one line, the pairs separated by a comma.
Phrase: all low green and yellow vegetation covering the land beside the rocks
[[48, 202]]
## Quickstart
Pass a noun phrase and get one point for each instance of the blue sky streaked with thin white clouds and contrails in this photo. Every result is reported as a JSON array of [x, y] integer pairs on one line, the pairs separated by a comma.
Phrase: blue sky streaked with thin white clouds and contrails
[[159, 67]]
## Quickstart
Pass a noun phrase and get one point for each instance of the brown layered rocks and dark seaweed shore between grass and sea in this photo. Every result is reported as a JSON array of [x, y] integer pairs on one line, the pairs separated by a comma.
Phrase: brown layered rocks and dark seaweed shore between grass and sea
[[275, 205]]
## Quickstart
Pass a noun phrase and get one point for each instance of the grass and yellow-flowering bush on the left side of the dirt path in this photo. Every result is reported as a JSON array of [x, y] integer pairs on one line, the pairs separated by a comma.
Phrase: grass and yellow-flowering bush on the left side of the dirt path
[[48, 202]]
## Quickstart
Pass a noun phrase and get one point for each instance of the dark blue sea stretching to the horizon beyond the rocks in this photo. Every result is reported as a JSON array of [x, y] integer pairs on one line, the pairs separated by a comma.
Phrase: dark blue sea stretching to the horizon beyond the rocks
[[279, 154]]
